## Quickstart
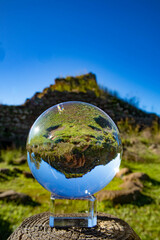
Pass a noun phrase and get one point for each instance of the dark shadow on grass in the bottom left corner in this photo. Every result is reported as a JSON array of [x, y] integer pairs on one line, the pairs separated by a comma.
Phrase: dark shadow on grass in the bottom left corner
[[5, 229]]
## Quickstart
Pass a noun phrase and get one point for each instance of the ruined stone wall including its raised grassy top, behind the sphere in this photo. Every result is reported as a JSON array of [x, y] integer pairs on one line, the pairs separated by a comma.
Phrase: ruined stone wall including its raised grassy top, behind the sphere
[[15, 121]]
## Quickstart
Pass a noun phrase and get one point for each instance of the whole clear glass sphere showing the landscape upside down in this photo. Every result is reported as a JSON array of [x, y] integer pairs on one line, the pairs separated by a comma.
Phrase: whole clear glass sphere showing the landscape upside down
[[74, 149]]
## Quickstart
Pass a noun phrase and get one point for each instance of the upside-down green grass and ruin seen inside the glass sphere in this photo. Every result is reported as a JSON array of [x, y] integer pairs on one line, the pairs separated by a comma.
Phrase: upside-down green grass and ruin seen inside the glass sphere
[[74, 138]]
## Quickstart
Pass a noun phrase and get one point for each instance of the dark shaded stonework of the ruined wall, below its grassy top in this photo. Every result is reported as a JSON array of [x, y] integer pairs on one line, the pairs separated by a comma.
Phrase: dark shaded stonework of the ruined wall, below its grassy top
[[15, 121]]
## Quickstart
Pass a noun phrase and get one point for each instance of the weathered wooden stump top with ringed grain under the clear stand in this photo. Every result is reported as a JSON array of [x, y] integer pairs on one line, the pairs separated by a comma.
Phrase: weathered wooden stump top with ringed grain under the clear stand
[[108, 227]]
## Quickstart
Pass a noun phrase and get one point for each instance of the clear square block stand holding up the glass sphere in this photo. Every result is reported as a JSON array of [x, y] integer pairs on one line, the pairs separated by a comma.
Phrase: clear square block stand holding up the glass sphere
[[63, 215]]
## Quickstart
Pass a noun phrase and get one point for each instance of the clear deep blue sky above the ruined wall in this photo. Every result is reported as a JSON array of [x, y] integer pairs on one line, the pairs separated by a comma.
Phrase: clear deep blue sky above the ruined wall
[[119, 41]]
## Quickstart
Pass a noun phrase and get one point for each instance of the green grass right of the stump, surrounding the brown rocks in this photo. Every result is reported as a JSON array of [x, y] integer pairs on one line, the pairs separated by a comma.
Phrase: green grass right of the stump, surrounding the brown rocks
[[145, 219]]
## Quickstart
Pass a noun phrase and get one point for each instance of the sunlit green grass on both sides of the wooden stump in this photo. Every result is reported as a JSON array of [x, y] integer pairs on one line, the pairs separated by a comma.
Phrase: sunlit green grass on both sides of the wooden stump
[[142, 216]]
